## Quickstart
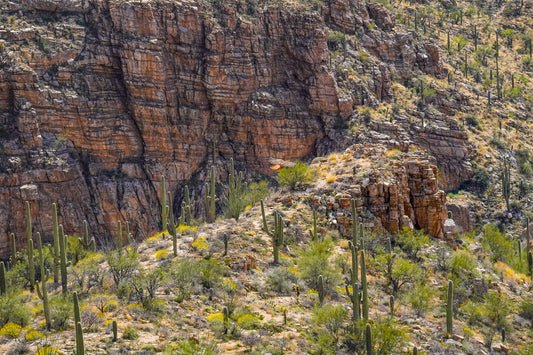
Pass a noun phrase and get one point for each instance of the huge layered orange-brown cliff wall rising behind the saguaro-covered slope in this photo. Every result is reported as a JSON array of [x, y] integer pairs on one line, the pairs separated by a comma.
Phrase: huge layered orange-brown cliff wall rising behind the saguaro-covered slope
[[99, 98]]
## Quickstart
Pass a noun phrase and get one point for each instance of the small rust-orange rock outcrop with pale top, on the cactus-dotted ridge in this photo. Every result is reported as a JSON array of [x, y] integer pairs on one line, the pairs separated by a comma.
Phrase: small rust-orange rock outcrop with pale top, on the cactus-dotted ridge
[[390, 192]]
